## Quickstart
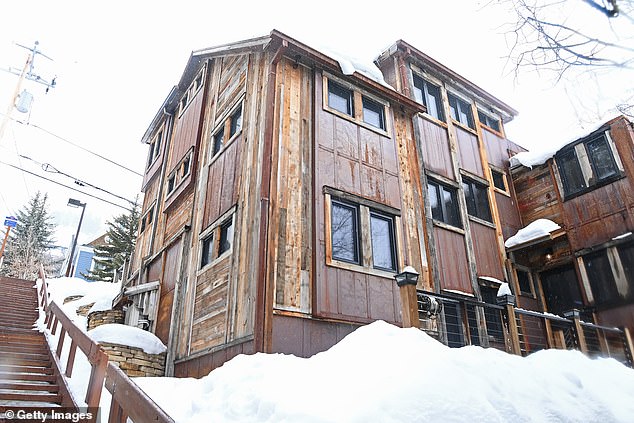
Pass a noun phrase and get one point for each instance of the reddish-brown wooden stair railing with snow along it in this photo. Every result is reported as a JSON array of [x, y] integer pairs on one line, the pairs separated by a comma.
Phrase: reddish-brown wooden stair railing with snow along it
[[128, 400]]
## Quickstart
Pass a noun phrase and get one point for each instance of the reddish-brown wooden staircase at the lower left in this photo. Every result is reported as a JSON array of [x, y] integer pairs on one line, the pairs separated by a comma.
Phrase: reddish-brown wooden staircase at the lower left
[[29, 375]]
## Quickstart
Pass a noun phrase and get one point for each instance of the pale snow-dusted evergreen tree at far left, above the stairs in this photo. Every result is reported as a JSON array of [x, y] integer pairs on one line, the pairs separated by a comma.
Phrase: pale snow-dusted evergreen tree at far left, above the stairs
[[30, 241]]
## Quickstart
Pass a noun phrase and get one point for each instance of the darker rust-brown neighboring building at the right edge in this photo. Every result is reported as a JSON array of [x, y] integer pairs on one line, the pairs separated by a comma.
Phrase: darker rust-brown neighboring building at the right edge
[[587, 188]]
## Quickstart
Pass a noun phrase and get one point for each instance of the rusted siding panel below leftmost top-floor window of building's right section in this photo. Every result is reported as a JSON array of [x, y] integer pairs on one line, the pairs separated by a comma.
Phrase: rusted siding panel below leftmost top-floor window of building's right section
[[435, 145]]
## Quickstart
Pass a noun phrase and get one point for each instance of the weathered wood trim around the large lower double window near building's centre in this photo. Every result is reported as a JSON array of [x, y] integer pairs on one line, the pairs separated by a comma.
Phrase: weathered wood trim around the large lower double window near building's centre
[[365, 263]]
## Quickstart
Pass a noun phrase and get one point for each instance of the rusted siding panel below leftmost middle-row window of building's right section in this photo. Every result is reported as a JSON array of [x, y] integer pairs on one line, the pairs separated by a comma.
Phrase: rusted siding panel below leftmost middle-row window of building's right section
[[452, 260]]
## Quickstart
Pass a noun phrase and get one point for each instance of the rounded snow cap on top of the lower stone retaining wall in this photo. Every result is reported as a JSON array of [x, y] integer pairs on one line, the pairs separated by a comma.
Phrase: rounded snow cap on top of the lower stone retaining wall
[[115, 333]]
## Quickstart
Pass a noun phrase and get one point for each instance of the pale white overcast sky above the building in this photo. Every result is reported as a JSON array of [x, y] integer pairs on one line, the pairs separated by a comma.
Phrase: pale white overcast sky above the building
[[116, 62]]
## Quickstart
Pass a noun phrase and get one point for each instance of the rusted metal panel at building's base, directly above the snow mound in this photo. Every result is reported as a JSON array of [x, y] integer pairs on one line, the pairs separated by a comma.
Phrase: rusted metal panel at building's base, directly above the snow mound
[[304, 337]]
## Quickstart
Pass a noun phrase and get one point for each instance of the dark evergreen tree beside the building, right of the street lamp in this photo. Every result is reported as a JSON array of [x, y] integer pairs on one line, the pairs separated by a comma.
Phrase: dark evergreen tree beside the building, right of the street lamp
[[120, 241]]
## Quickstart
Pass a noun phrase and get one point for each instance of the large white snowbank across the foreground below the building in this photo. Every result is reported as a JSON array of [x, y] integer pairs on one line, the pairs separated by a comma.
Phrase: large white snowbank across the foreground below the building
[[382, 373]]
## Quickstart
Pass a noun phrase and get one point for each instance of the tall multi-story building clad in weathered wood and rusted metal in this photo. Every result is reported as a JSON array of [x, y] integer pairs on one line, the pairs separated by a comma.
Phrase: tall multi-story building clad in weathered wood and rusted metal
[[282, 196]]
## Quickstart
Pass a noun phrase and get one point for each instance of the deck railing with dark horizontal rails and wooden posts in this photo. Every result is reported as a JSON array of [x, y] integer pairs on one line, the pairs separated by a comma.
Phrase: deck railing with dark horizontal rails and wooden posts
[[458, 321]]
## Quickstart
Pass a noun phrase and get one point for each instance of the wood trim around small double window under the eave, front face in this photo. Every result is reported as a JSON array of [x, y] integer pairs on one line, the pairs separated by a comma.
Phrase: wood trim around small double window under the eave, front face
[[357, 105]]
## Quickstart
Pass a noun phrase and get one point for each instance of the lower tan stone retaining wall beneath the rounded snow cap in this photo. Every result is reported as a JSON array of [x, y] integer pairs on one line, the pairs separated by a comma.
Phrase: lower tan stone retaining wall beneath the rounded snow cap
[[134, 361]]
